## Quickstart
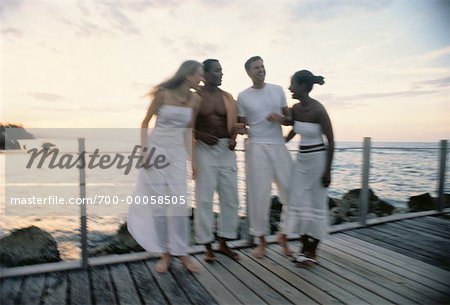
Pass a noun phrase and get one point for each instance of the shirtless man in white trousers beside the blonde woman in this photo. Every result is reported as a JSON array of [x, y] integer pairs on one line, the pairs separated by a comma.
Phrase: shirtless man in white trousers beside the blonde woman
[[215, 163]]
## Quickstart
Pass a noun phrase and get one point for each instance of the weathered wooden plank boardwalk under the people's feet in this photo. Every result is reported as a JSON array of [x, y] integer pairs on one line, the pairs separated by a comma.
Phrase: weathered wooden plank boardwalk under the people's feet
[[402, 262]]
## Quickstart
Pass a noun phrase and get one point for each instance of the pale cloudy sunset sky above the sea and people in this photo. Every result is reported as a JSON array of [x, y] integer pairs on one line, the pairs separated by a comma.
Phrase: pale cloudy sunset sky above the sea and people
[[80, 63]]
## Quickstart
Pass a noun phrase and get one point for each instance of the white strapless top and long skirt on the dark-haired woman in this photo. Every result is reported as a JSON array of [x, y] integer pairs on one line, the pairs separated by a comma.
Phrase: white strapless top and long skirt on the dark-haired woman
[[308, 199]]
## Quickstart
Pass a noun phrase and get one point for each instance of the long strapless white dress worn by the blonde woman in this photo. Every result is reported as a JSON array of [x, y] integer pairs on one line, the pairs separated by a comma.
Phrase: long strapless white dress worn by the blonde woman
[[153, 226]]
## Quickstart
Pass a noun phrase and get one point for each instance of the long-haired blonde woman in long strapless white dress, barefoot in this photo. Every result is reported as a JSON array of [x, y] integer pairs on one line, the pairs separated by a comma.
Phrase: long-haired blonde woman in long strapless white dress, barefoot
[[159, 228]]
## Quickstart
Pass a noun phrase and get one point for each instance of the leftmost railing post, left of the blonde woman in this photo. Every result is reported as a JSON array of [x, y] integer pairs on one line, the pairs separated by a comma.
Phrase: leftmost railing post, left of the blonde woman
[[83, 220]]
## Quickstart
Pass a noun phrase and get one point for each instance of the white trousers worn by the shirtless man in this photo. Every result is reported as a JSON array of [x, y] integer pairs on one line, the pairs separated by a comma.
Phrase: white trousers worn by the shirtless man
[[216, 170]]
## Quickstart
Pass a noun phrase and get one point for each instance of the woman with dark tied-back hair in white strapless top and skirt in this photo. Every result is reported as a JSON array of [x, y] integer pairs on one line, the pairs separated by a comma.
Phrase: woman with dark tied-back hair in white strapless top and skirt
[[310, 176]]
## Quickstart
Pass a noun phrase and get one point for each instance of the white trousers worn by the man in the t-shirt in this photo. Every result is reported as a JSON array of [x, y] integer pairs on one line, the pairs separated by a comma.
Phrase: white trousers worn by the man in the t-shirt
[[265, 163]]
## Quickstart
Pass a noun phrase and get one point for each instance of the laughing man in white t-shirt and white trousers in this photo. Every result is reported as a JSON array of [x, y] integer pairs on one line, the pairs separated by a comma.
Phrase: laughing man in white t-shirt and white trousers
[[264, 109]]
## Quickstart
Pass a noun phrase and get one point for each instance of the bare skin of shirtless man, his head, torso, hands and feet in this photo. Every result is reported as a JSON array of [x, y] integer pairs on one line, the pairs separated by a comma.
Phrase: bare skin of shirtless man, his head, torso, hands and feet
[[211, 125]]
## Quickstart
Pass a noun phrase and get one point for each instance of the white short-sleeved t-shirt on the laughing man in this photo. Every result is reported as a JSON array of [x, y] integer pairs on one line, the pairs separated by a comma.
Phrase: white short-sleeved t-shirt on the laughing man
[[255, 105]]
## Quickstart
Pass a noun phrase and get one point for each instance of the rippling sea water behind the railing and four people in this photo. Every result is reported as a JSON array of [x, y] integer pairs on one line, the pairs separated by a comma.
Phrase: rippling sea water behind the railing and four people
[[397, 171]]
